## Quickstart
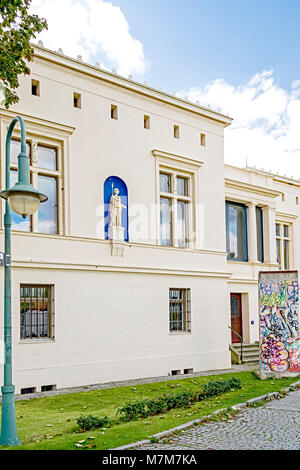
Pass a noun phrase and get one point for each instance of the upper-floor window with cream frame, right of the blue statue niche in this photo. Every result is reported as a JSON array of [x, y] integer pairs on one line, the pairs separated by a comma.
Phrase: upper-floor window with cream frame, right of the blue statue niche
[[175, 200]]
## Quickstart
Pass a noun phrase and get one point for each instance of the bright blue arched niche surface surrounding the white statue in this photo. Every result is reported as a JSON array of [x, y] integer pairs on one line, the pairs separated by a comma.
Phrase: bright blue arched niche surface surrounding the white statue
[[110, 184]]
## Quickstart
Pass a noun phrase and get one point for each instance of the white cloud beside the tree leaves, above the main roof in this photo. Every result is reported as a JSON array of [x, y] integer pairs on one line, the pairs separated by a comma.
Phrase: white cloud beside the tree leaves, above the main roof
[[92, 29]]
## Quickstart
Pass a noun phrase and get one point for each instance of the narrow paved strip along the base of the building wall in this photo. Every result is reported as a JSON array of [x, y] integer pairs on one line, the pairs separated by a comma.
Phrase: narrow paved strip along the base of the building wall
[[126, 383]]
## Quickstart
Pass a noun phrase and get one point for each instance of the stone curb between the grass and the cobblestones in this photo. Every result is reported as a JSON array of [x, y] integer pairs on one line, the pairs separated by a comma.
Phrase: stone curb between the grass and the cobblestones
[[189, 424]]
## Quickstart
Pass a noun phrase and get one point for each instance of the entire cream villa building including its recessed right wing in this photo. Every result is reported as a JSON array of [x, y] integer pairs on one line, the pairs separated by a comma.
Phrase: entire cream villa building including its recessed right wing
[[93, 304]]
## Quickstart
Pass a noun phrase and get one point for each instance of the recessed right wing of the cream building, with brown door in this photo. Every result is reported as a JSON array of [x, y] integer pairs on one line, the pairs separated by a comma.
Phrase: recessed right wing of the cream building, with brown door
[[262, 230]]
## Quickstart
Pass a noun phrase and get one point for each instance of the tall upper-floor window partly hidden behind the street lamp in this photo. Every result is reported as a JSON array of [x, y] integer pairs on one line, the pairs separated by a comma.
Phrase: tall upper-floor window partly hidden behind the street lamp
[[44, 174]]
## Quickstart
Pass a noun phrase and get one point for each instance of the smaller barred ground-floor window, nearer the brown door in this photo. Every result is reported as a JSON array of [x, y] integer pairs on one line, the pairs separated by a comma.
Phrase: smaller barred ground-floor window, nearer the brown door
[[180, 309]]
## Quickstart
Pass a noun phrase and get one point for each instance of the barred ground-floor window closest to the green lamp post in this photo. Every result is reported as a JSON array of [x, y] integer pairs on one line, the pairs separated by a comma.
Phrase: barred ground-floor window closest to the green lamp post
[[37, 311]]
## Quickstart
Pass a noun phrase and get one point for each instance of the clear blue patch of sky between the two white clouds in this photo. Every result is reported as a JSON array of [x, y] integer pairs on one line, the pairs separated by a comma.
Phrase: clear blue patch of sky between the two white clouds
[[192, 42]]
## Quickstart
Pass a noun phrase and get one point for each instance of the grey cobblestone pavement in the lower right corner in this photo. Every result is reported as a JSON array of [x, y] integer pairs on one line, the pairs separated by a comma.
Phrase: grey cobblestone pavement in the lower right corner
[[274, 426]]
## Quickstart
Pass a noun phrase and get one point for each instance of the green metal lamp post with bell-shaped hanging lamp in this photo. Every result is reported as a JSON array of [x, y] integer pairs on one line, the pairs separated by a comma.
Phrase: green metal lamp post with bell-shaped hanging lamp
[[24, 199]]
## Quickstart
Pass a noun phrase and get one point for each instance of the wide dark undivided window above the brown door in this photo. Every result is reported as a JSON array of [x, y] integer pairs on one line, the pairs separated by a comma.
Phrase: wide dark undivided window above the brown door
[[236, 231]]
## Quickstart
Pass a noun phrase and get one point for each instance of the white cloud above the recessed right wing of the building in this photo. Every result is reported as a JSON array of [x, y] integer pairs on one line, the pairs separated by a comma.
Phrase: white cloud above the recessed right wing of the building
[[266, 127]]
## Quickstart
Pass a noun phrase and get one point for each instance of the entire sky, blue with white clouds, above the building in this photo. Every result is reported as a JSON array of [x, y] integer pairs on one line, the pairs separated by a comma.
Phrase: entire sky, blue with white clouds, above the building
[[240, 57]]
